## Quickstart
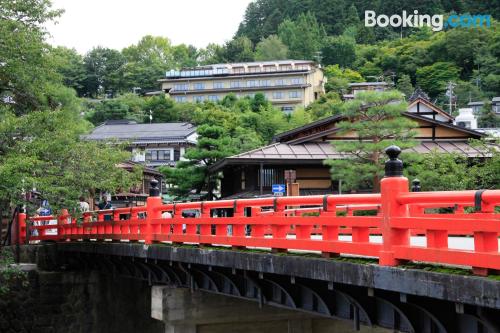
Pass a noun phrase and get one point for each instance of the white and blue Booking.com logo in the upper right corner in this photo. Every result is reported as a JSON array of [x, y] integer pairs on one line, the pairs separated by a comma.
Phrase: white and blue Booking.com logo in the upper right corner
[[436, 22]]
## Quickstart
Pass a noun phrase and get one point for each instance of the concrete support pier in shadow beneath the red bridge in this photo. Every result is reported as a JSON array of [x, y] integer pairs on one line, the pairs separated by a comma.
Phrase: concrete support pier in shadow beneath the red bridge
[[186, 311]]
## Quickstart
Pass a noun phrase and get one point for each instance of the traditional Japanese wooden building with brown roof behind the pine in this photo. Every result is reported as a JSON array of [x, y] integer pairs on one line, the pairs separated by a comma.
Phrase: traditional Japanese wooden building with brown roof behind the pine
[[304, 149]]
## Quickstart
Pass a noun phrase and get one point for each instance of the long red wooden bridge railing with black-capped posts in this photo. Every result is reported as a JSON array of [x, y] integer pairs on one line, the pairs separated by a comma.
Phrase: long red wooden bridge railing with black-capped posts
[[330, 224]]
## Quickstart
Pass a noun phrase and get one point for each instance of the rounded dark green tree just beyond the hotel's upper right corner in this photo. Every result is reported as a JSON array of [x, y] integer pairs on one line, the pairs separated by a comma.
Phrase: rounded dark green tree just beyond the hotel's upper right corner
[[339, 50]]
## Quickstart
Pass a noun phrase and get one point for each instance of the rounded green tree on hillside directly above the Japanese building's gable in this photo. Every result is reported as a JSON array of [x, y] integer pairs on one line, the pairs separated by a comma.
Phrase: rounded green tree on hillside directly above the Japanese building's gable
[[434, 78]]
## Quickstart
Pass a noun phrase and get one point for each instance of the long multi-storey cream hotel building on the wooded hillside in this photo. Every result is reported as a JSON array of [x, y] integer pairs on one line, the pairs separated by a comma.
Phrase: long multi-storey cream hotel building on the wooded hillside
[[287, 84]]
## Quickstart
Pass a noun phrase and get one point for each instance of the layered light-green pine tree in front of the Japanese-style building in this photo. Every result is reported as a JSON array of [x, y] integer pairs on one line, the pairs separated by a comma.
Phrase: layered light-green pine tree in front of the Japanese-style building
[[375, 121]]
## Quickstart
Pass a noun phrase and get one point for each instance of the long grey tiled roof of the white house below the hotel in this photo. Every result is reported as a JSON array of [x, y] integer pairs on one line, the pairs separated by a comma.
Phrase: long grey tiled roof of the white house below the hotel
[[159, 132]]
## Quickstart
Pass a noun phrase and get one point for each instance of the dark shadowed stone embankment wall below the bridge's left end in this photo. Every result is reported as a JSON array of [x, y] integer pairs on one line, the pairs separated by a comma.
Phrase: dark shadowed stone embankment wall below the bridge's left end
[[76, 301]]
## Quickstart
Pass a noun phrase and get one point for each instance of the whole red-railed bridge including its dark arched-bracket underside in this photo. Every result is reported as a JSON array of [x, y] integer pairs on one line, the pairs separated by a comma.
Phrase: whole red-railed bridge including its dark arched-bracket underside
[[401, 260]]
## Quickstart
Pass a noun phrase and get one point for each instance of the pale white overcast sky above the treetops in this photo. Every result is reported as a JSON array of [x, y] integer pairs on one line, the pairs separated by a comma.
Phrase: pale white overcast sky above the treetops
[[119, 23]]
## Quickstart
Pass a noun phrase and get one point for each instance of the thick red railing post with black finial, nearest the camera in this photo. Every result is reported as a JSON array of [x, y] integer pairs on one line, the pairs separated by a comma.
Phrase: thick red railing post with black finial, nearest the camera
[[391, 186]]
